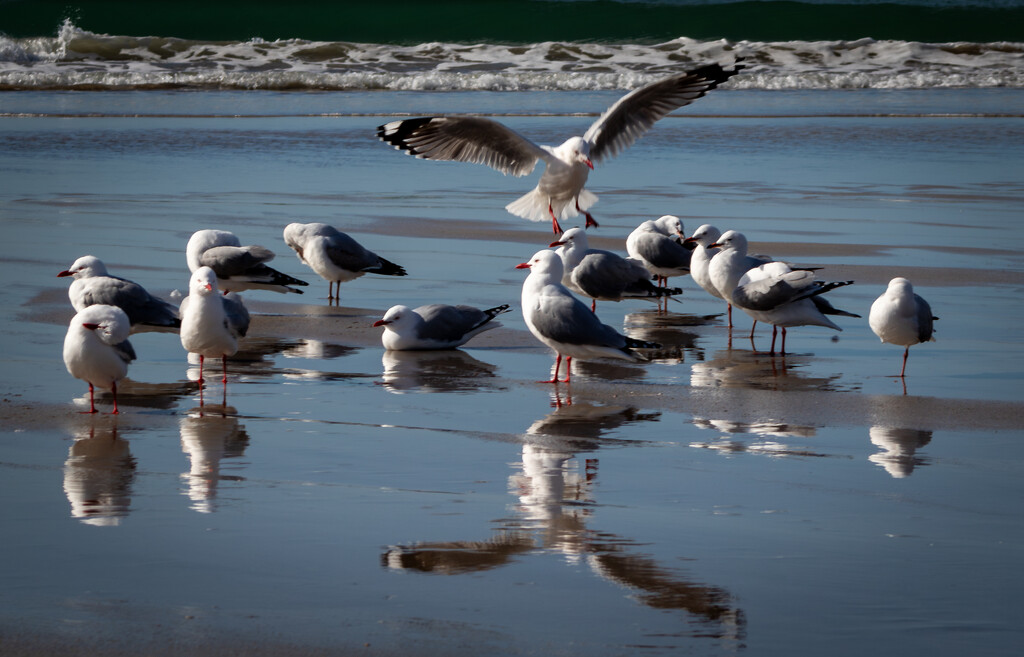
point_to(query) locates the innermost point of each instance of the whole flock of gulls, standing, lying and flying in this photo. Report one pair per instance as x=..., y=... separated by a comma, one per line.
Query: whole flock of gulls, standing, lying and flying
x=212, y=319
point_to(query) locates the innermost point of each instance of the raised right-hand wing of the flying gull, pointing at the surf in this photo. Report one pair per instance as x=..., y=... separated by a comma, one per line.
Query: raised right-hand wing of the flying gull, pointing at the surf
x=634, y=114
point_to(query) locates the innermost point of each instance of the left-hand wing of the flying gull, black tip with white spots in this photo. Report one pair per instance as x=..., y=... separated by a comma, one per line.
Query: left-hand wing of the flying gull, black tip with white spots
x=472, y=140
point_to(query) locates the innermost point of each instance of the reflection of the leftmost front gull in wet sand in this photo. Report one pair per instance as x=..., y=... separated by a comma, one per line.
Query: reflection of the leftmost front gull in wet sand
x=99, y=474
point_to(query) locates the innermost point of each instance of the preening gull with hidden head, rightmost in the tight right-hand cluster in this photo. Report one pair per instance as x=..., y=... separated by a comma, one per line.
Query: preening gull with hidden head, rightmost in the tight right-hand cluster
x=784, y=297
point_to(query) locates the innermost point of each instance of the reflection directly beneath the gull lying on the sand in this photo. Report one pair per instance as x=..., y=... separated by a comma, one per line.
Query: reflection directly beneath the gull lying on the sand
x=444, y=371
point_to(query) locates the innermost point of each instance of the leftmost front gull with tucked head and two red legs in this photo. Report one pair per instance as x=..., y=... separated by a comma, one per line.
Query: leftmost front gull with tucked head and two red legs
x=97, y=349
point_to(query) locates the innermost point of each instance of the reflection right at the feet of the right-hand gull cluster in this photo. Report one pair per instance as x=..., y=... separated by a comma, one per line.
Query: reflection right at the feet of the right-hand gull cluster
x=741, y=369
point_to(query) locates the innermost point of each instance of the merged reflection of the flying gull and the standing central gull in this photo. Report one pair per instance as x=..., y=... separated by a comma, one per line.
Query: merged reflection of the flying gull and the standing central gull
x=556, y=504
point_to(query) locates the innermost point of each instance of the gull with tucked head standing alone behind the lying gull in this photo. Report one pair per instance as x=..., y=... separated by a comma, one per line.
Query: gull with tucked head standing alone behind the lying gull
x=335, y=256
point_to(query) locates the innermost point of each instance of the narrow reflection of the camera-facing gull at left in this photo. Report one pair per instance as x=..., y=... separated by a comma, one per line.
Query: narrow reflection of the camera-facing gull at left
x=210, y=434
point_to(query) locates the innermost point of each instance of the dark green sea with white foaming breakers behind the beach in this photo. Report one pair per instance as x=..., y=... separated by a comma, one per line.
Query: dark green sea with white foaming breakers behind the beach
x=507, y=47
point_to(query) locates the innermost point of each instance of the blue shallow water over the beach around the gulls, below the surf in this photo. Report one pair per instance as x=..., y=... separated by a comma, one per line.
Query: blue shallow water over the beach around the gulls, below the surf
x=713, y=501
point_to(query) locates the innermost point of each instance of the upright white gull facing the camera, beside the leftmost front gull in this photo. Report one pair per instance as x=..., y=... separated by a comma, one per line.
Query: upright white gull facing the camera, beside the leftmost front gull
x=211, y=324
